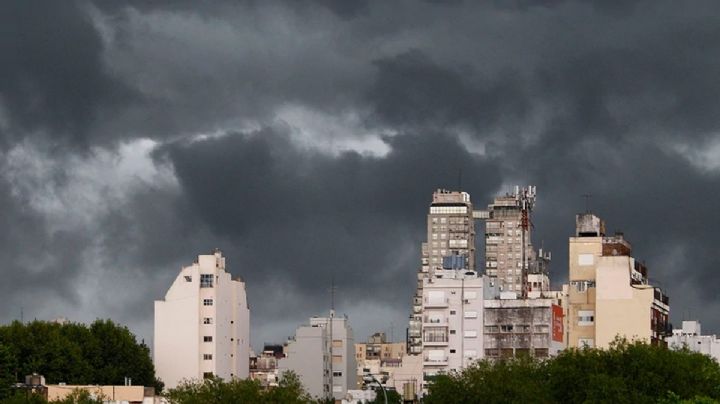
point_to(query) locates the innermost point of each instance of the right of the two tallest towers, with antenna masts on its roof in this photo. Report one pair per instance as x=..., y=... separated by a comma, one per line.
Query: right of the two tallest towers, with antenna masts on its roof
x=509, y=254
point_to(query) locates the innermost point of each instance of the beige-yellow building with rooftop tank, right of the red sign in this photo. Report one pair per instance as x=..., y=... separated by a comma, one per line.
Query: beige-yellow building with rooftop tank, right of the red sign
x=609, y=294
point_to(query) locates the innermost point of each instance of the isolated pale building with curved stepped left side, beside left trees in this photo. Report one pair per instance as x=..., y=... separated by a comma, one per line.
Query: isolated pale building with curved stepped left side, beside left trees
x=202, y=325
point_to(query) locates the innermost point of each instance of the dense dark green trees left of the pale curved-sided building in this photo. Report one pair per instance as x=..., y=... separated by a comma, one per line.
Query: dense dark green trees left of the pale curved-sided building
x=101, y=353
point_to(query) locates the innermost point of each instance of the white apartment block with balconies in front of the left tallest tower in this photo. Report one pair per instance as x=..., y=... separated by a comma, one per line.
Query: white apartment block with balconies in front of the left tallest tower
x=452, y=321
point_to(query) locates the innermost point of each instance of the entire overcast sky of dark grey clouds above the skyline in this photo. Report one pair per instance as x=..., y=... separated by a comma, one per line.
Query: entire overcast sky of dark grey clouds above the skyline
x=305, y=138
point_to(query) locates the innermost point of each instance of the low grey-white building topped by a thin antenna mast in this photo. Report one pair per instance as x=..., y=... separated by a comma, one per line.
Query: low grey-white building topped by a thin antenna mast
x=324, y=371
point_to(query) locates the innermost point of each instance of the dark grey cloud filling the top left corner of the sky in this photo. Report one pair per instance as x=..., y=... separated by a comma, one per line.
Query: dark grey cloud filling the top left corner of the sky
x=53, y=77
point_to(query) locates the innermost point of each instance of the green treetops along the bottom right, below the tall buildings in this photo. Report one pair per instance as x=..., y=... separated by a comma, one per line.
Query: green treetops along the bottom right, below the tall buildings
x=625, y=373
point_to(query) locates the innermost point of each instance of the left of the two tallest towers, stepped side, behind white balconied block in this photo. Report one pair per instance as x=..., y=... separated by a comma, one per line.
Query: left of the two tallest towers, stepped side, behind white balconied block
x=450, y=242
